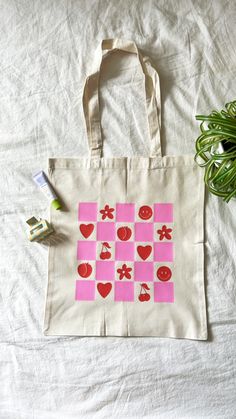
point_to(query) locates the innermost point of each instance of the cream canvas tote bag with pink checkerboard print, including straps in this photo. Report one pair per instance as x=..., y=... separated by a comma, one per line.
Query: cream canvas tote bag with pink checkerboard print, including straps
x=131, y=262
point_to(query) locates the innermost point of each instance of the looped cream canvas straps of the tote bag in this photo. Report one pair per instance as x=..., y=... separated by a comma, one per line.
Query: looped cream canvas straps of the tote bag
x=91, y=96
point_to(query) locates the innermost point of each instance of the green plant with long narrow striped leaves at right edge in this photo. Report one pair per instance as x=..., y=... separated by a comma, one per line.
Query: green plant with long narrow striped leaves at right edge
x=216, y=151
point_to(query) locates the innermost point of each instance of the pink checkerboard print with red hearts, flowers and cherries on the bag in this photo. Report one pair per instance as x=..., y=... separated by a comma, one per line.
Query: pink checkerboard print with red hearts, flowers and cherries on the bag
x=125, y=253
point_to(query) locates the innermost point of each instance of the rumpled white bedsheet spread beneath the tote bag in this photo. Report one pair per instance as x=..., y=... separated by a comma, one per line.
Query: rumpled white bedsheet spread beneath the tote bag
x=46, y=49
